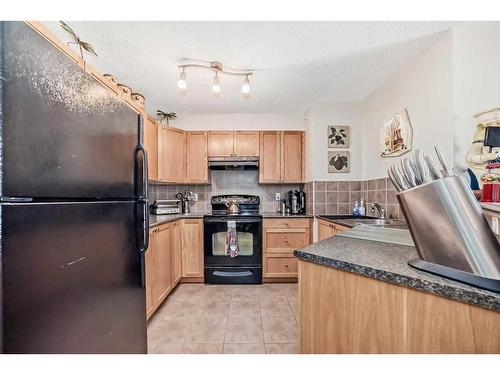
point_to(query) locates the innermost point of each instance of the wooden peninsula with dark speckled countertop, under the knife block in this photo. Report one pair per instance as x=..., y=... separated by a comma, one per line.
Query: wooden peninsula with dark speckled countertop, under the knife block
x=361, y=296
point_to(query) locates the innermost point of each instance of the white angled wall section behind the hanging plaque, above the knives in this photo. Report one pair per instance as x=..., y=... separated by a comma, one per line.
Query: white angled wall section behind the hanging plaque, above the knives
x=424, y=88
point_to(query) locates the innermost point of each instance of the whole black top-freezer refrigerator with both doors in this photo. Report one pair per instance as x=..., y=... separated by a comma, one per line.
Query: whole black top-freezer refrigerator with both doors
x=74, y=219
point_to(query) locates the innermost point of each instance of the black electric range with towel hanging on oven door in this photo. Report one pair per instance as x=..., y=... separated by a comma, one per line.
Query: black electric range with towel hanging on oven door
x=246, y=267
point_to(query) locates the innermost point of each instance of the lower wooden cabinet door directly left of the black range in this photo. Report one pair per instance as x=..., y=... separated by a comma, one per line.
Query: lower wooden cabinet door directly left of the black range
x=192, y=249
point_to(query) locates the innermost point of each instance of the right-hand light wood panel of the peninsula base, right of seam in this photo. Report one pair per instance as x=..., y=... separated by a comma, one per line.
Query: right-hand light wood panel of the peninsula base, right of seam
x=439, y=325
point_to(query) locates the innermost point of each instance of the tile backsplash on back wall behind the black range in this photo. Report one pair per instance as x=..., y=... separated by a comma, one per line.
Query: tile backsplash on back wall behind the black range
x=226, y=182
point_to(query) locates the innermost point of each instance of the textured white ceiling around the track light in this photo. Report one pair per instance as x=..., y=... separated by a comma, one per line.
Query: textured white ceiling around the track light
x=296, y=63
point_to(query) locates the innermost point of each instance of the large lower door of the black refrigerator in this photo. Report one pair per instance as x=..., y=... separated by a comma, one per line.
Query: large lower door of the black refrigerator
x=72, y=278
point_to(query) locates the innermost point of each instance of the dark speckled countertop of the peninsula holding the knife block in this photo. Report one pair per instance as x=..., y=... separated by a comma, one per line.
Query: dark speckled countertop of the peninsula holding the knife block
x=389, y=262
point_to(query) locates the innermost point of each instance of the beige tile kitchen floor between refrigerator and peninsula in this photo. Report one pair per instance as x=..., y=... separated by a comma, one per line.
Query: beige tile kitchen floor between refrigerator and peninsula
x=226, y=319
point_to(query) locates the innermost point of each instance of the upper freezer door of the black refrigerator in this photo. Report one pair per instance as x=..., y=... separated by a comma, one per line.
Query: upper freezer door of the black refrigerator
x=64, y=135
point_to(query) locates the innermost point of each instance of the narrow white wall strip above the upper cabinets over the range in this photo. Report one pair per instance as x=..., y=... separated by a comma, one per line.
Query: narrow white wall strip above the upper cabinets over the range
x=240, y=121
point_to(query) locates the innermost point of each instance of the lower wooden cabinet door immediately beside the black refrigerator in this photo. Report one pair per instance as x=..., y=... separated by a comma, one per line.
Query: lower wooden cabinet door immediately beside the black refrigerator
x=163, y=263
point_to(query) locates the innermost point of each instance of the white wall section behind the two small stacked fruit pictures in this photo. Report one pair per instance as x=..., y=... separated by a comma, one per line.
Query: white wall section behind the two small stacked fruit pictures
x=319, y=116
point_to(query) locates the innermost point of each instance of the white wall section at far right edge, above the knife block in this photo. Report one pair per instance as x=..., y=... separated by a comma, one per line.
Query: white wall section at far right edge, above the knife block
x=476, y=79
